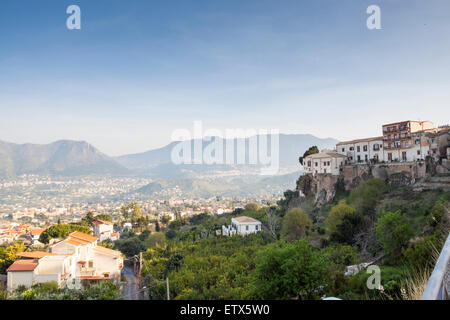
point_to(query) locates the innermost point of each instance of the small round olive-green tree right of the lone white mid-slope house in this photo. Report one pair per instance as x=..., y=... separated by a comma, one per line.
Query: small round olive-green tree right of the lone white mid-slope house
x=296, y=224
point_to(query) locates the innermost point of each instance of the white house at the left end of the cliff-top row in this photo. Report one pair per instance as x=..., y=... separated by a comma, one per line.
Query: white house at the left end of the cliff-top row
x=325, y=162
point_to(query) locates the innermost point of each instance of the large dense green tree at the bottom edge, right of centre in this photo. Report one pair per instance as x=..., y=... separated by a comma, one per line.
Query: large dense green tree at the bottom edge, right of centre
x=292, y=270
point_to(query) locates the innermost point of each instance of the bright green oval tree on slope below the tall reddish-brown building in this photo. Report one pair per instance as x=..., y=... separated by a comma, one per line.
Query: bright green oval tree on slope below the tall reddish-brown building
x=394, y=232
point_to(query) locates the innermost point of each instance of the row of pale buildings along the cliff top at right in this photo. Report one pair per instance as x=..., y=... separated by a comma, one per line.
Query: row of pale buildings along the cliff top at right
x=405, y=141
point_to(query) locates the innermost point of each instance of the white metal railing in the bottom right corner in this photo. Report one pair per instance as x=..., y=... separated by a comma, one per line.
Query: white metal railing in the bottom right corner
x=438, y=285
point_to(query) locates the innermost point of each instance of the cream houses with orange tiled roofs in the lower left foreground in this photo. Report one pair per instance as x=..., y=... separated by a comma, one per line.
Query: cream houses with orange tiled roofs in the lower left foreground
x=67, y=263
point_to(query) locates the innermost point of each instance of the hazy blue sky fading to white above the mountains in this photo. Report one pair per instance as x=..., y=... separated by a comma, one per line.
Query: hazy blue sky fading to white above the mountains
x=137, y=70
